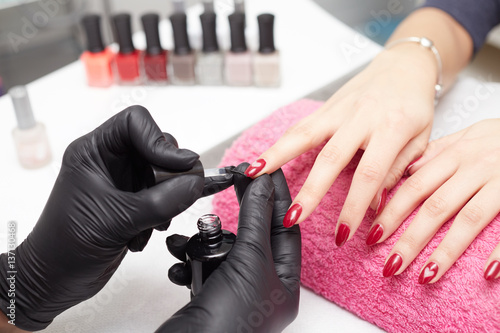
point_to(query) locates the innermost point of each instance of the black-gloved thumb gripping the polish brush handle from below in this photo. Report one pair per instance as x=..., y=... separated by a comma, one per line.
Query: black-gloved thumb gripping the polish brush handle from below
x=166, y=200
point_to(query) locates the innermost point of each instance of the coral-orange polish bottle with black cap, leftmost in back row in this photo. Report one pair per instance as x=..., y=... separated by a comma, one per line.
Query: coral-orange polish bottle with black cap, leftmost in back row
x=97, y=59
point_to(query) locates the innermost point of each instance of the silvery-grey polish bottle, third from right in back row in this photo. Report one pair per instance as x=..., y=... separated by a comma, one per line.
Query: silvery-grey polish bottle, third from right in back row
x=210, y=60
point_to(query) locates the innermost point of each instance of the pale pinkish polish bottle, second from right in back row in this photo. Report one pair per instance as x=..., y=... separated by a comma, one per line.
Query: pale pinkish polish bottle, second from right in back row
x=238, y=67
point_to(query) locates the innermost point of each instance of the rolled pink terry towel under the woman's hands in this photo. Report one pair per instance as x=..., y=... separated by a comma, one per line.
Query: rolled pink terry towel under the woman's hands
x=351, y=276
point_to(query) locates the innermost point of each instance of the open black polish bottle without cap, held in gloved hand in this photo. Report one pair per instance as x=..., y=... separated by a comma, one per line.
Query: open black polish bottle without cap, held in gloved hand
x=207, y=249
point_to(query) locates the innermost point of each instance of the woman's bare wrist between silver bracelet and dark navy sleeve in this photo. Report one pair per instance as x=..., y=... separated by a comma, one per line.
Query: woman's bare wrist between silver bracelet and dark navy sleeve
x=450, y=38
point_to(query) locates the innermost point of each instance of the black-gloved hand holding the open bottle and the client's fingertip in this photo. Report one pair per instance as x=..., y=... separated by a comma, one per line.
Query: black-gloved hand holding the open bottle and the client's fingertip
x=257, y=288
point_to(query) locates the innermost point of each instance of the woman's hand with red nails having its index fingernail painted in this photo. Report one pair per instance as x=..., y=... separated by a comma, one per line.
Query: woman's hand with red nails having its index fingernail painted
x=387, y=110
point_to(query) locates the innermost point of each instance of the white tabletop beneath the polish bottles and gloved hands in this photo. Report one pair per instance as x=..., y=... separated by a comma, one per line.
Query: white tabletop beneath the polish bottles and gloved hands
x=140, y=297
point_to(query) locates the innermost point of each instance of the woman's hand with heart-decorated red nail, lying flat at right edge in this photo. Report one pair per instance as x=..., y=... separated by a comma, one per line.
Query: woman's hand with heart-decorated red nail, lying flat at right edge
x=459, y=173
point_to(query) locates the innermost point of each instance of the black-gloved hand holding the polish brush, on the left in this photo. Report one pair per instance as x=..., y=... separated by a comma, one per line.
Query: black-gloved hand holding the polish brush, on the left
x=98, y=209
